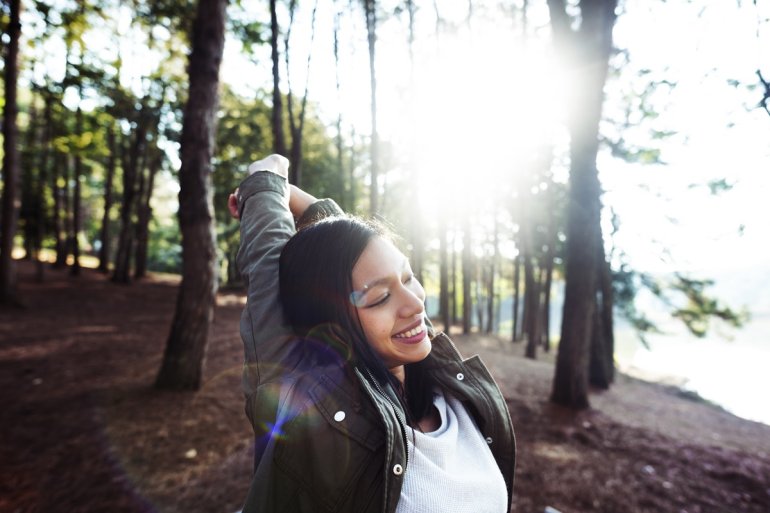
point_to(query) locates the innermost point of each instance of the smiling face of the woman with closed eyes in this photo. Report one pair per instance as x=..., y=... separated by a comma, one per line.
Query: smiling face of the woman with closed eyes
x=389, y=301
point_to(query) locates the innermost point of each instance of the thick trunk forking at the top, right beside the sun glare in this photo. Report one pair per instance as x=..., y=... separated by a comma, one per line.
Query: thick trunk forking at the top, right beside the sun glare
x=590, y=45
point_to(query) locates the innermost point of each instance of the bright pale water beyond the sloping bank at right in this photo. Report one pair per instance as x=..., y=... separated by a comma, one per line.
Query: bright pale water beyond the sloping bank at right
x=729, y=366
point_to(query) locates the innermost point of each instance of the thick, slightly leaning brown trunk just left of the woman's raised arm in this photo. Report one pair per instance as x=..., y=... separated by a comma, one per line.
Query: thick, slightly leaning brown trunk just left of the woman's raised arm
x=183, y=360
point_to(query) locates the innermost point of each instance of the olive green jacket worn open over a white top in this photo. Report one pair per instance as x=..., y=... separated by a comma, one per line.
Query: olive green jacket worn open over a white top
x=326, y=438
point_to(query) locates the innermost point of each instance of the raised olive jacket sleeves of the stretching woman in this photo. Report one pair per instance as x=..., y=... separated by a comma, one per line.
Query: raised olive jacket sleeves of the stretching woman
x=266, y=225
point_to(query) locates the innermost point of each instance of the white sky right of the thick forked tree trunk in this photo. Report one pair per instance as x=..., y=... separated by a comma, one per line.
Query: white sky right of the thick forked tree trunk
x=718, y=138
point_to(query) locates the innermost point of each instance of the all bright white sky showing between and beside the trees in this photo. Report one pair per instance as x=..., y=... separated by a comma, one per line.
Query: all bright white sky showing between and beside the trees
x=473, y=110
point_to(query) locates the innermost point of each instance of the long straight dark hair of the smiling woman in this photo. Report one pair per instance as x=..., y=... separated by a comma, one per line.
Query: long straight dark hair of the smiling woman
x=315, y=274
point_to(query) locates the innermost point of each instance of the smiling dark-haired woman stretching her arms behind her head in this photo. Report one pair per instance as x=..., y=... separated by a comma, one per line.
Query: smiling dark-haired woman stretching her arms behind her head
x=356, y=404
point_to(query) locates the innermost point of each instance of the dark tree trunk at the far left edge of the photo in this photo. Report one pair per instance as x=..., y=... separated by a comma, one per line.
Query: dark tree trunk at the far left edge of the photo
x=10, y=203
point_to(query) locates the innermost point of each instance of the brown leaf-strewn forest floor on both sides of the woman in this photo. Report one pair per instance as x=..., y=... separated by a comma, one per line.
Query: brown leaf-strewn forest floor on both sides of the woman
x=82, y=430
